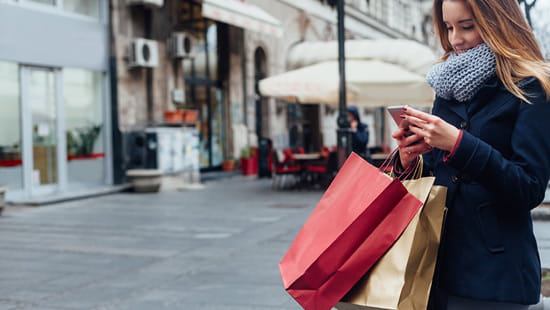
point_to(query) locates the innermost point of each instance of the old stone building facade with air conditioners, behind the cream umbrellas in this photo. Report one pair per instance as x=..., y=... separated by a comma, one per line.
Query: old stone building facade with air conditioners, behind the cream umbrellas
x=231, y=46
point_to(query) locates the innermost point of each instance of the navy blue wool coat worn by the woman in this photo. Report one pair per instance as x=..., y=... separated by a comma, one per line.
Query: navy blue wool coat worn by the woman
x=498, y=174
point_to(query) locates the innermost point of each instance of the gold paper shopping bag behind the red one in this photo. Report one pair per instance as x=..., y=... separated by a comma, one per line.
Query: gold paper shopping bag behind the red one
x=402, y=278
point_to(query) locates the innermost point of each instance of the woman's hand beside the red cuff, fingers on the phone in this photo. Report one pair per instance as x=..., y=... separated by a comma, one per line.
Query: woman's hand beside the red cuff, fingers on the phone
x=434, y=131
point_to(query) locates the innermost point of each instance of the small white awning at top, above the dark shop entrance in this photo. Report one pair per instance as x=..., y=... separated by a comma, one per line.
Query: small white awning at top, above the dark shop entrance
x=242, y=14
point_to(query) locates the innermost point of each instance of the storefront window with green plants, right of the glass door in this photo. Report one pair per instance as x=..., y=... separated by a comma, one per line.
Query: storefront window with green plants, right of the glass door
x=84, y=125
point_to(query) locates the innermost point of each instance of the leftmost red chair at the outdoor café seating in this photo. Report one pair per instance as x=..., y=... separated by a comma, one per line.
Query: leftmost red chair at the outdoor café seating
x=285, y=168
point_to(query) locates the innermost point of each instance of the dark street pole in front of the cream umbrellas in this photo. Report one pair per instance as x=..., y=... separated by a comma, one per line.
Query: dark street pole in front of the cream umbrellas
x=343, y=132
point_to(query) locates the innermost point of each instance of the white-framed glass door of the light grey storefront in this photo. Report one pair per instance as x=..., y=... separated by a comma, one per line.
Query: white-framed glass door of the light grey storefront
x=41, y=130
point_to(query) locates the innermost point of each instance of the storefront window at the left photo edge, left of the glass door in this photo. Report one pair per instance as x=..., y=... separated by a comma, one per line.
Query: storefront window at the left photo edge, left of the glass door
x=11, y=164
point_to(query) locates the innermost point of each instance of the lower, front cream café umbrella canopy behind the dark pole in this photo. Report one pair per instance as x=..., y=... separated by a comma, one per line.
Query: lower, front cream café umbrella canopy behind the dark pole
x=368, y=83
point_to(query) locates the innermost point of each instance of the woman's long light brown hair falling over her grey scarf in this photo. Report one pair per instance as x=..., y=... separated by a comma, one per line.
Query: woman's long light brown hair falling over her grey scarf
x=504, y=28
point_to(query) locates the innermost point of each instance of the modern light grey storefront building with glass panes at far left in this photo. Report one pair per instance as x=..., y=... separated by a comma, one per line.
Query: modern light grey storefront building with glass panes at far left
x=54, y=82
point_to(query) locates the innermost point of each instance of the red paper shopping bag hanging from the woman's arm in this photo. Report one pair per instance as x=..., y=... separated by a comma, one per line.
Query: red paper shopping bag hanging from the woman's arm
x=359, y=217
